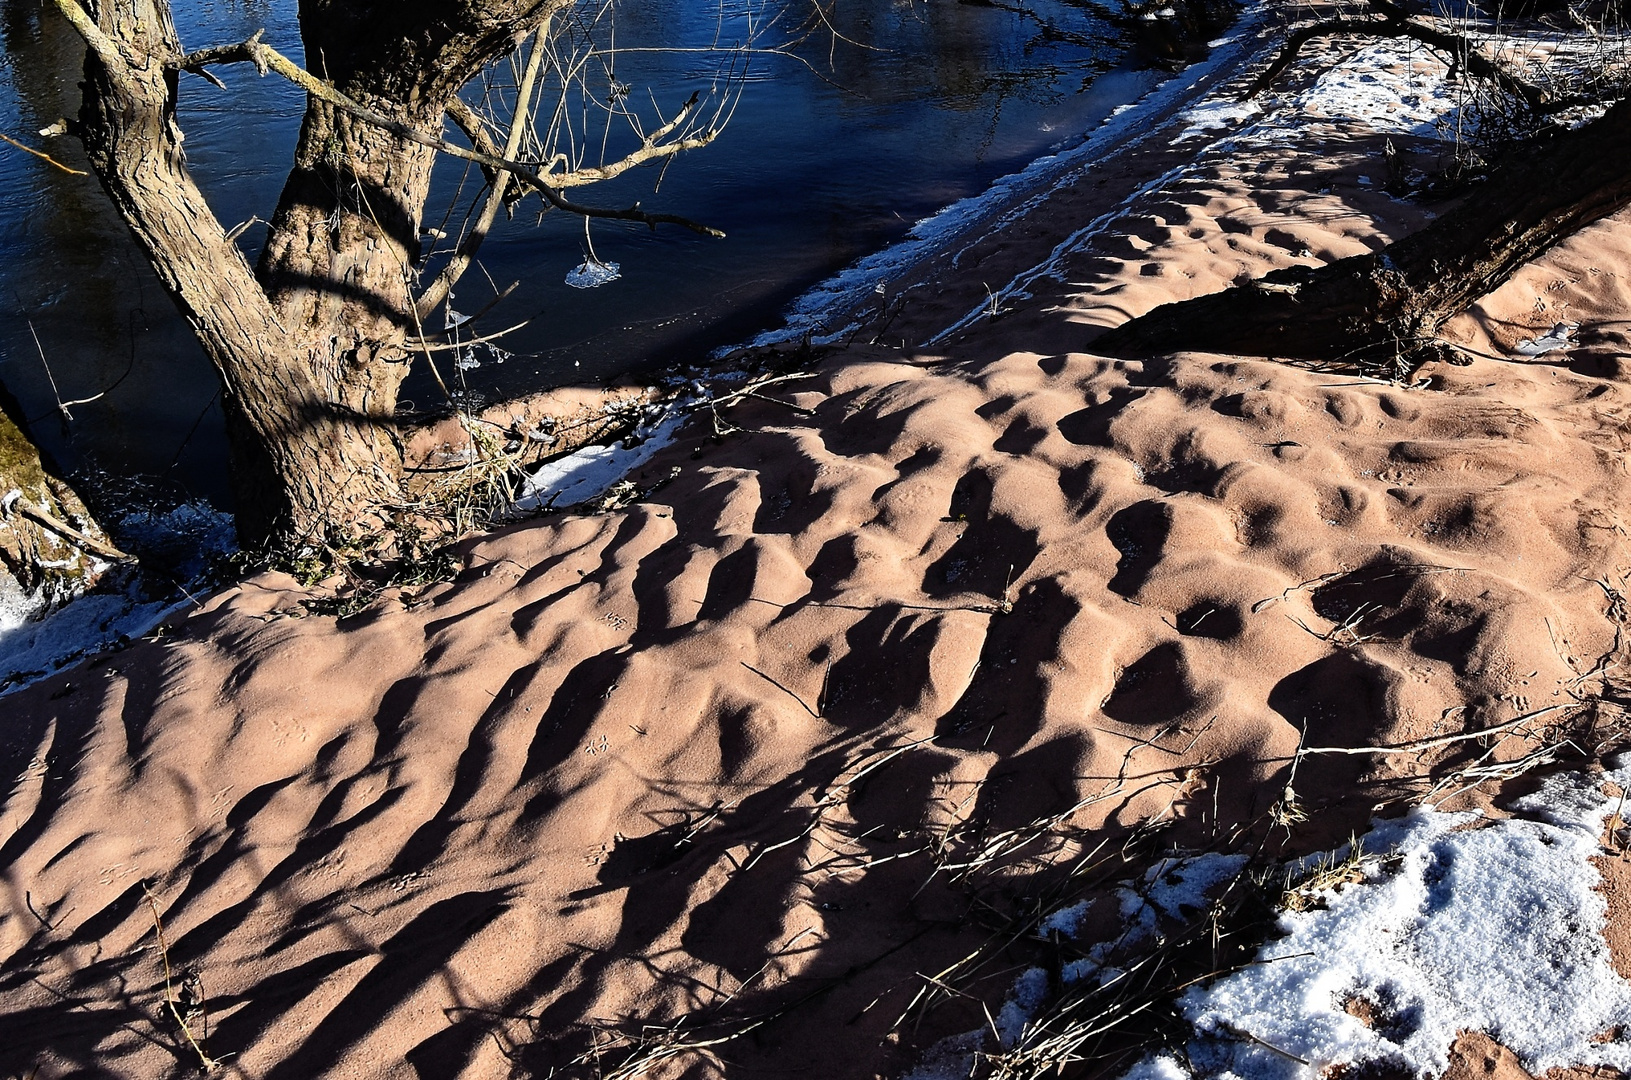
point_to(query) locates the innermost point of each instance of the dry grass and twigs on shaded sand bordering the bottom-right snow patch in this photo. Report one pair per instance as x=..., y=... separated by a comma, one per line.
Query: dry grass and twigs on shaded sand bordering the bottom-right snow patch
x=1126, y=1007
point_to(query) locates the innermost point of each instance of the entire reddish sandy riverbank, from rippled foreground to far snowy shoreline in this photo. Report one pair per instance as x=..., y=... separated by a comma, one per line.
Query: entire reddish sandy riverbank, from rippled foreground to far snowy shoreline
x=878, y=671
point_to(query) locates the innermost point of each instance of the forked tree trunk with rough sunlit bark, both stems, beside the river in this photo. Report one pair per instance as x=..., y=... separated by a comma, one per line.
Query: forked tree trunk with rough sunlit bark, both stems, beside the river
x=311, y=352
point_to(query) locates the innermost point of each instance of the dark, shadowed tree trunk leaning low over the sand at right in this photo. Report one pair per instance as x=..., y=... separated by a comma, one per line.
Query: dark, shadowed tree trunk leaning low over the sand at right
x=1386, y=309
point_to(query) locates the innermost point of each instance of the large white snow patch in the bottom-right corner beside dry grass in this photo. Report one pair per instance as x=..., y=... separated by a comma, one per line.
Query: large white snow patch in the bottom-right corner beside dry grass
x=1462, y=924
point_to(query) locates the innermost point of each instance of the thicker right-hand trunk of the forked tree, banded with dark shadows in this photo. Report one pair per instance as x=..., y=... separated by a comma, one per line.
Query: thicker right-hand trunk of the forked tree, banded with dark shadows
x=342, y=249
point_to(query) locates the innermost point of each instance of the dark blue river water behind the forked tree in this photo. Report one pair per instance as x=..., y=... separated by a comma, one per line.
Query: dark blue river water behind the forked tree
x=836, y=148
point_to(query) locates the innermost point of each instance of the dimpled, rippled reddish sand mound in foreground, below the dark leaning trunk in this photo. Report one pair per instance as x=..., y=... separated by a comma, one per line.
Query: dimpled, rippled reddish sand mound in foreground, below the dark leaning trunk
x=578, y=782
